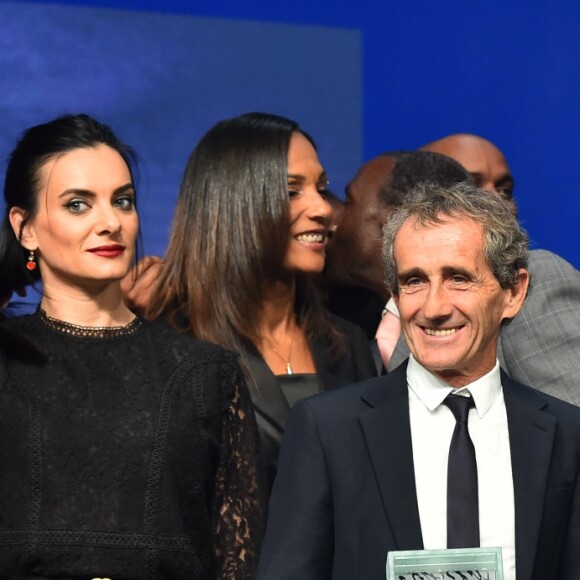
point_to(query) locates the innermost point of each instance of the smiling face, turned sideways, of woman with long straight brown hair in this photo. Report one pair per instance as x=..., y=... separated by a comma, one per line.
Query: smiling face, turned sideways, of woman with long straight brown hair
x=310, y=213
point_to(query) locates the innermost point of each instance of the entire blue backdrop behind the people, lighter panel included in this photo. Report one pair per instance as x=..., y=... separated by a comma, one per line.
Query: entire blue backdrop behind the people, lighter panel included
x=362, y=77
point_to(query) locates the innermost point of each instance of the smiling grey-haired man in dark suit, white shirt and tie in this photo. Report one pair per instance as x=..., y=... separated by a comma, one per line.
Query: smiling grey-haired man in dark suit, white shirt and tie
x=370, y=468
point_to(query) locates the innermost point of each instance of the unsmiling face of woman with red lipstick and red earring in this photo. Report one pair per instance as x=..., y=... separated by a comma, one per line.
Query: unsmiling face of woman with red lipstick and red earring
x=86, y=225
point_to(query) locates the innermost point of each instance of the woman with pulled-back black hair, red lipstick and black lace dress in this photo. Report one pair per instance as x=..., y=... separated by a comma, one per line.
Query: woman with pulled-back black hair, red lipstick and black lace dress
x=126, y=450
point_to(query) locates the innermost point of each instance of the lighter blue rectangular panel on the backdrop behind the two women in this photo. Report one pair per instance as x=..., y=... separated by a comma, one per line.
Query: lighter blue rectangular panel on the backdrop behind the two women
x=162, y=80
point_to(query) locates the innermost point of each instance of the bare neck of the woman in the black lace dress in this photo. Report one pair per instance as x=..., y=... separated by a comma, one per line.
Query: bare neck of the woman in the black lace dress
x=100, y=306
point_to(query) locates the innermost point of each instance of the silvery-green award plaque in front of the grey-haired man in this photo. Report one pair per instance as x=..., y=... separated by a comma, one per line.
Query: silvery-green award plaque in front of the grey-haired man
x=461, y=564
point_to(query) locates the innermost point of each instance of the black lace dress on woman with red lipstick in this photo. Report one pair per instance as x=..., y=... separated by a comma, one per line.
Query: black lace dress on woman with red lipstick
x=125, y=453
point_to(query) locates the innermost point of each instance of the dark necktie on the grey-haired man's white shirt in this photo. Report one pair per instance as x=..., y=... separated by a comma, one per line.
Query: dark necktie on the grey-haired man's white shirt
x=462, y=496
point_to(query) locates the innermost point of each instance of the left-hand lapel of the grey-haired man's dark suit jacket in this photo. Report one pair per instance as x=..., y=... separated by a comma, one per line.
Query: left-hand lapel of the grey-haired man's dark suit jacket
x=387, y=431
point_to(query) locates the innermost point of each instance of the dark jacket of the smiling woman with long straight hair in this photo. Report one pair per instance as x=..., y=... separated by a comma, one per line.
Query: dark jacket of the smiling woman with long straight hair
x=270, y=404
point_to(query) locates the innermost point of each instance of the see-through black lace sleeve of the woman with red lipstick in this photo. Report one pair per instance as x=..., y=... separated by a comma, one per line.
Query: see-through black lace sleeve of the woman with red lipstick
x=239, y=506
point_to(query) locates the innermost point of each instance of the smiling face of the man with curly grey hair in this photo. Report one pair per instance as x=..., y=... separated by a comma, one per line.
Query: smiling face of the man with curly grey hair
x=451, y=304
